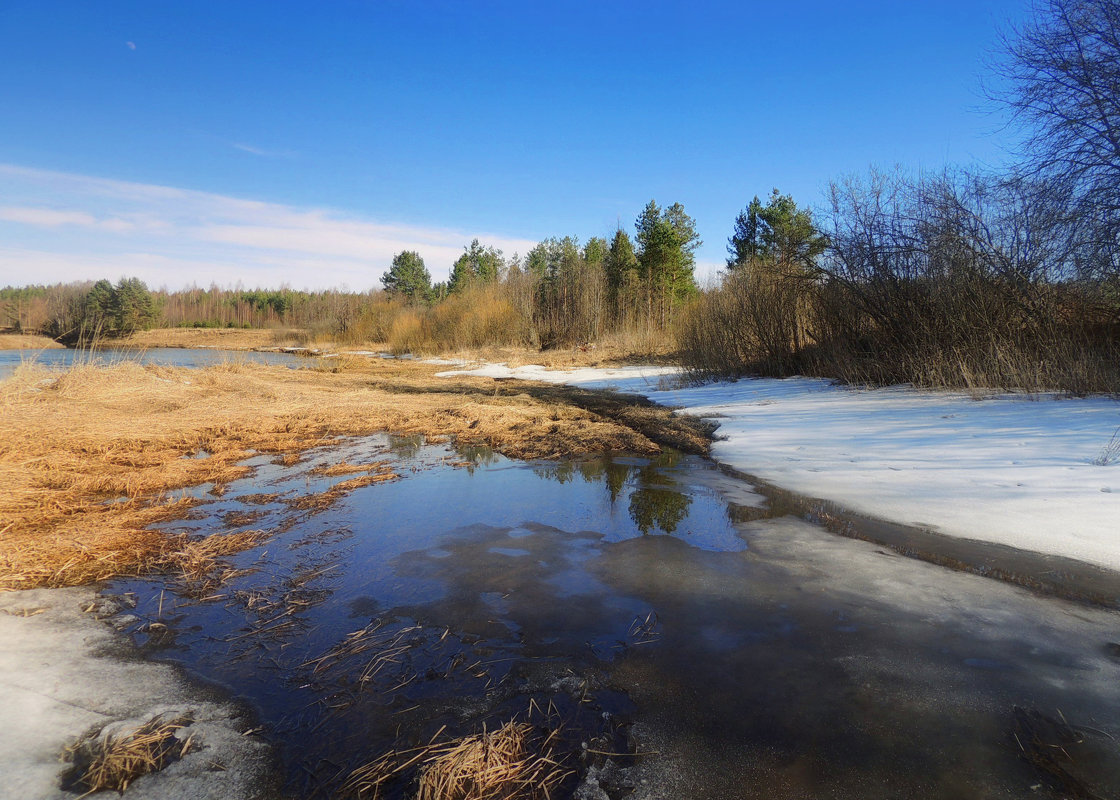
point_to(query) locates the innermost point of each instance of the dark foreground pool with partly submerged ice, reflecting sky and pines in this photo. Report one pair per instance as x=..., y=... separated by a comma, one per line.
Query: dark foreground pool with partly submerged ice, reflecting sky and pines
x=651, y=608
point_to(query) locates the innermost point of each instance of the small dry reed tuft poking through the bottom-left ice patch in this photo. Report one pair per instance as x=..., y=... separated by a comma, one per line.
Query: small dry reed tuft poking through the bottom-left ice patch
x=116, y=760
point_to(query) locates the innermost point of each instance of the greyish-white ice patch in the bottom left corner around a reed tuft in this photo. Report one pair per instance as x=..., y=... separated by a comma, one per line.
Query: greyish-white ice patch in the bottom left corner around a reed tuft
x=66, y=674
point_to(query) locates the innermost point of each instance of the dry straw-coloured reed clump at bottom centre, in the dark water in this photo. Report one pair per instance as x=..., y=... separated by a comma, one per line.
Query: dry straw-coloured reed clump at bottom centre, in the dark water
x=516, y=761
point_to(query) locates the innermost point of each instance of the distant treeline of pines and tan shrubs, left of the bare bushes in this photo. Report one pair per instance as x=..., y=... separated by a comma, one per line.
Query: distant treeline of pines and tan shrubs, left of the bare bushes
x=559, y=294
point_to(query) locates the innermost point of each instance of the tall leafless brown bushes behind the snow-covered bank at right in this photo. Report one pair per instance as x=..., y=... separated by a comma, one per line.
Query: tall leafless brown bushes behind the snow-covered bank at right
x=947, y=281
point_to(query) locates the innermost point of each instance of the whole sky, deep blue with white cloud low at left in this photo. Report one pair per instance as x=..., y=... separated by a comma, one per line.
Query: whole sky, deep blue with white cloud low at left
x=269, y=143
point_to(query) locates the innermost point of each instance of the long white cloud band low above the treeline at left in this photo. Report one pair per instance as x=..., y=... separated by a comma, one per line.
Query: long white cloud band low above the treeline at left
x=61, y=227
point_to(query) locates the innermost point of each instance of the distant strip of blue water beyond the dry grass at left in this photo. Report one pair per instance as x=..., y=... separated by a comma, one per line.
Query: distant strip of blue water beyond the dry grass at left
x=166, y=357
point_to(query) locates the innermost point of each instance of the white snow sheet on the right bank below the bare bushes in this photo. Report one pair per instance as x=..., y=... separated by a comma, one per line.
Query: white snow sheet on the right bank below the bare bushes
x=1004, y=469
